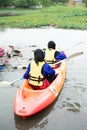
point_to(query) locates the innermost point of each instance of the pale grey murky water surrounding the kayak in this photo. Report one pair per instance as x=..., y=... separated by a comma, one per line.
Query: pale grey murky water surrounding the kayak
x=69, y=111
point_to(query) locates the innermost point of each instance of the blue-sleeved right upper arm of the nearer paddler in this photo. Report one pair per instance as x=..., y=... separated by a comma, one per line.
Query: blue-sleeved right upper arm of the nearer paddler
x=47, y=70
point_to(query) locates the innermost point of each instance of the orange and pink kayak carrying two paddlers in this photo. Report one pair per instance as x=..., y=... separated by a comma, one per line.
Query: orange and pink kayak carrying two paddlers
x=28, y=102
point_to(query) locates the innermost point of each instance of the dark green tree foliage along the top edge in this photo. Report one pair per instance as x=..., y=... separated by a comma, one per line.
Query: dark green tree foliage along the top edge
x=28, y=3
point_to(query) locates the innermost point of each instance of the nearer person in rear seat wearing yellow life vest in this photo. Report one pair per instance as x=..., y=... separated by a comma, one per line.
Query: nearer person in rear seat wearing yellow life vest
x=38, y=71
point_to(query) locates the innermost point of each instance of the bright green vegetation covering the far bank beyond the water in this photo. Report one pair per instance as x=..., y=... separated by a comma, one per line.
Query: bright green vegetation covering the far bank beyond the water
x=58, y=16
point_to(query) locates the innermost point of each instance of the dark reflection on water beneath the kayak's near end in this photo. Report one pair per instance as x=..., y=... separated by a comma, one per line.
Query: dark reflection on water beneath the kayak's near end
x=37, y=121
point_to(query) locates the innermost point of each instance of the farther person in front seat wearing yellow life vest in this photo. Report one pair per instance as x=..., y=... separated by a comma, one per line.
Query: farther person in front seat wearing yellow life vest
x=52, y=55
